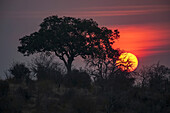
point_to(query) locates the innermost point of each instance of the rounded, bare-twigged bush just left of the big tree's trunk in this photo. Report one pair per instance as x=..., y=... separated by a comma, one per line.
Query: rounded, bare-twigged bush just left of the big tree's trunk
x=45, y=67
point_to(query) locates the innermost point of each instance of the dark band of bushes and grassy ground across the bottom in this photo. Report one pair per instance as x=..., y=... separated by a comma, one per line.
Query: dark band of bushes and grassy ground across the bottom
x=44, y=87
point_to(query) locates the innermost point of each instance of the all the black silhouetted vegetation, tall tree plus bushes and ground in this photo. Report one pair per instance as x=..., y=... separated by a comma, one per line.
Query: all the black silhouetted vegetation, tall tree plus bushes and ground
x=43, y=86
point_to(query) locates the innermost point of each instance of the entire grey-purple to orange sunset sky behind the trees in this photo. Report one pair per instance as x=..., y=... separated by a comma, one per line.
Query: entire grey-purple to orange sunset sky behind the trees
x=144, y=25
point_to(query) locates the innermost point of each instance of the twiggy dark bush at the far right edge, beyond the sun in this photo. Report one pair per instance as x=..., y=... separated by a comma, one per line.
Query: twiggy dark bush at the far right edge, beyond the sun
x=155, y=77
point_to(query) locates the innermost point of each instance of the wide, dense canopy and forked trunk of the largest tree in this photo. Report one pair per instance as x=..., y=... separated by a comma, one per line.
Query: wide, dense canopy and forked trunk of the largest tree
x=68, y=38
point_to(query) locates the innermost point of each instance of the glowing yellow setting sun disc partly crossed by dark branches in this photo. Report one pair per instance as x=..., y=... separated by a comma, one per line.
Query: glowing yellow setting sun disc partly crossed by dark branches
x=127, y=62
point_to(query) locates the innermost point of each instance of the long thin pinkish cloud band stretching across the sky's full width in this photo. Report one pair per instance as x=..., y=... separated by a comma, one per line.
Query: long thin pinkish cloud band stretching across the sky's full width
x=93, y=11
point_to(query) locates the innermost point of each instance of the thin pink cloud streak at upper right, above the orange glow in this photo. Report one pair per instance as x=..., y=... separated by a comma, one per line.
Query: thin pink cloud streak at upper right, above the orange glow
x=121, y=10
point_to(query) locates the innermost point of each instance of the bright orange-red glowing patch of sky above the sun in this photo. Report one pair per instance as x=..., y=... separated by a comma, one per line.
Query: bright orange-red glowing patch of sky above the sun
x=143, y=40
